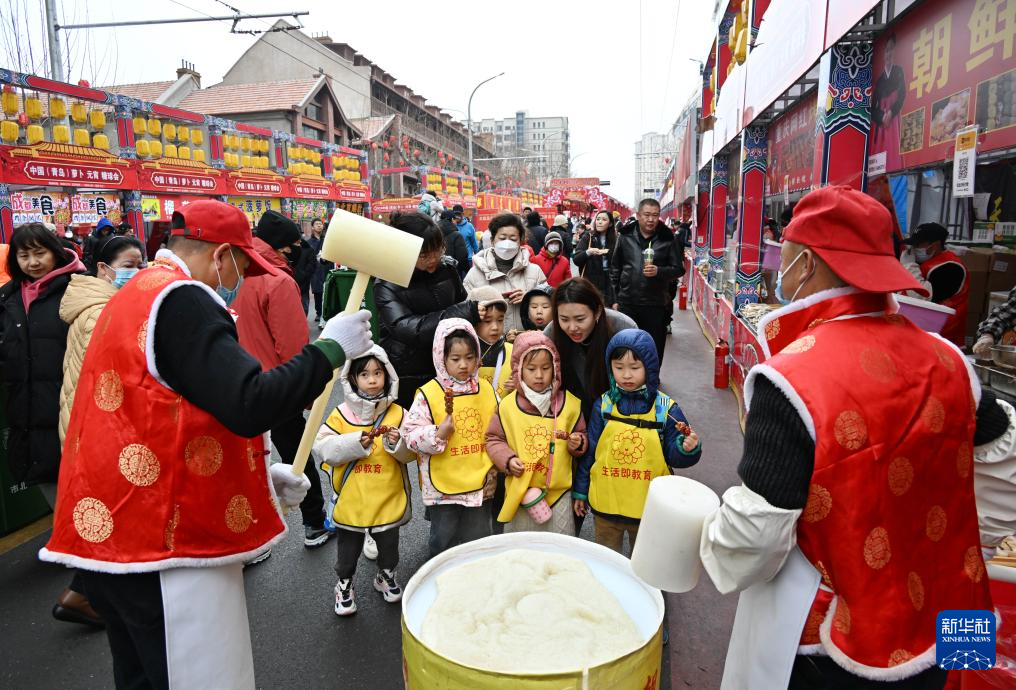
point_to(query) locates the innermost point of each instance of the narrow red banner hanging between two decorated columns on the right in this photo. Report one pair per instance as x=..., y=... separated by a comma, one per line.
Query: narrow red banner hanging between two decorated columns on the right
x=792, y=149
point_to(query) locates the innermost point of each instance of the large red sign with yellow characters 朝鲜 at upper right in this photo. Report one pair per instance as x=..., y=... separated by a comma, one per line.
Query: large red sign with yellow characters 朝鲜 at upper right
x=946, y=66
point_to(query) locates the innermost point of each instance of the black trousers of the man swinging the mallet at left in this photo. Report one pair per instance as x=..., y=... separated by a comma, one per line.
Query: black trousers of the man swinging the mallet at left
x=132, y=606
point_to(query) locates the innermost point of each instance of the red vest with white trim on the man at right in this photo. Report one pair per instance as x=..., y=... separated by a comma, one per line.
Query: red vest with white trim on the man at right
x=891, y=522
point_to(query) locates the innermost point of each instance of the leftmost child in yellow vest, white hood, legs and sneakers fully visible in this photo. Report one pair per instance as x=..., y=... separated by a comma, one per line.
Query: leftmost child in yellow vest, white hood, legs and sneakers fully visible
x=361, y=449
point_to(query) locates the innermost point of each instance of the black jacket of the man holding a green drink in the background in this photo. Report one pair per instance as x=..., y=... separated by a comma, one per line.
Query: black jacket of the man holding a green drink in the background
x=630, y=286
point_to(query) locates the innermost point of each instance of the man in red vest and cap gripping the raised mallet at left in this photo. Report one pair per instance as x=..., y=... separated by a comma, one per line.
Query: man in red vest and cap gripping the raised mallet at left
x=164, y=482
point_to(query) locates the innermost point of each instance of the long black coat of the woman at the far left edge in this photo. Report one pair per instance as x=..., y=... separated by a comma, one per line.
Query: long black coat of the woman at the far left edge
x=32, y=352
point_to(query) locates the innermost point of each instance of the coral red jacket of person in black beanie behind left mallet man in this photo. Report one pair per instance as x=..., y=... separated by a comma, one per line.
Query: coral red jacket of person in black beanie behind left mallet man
x=271, y=319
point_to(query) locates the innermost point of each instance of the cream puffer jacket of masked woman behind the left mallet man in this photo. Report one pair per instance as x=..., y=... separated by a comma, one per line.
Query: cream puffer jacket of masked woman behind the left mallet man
x=80, y=309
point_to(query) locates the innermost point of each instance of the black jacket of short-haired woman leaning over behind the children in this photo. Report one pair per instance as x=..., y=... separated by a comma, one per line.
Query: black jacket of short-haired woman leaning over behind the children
x=410, y=317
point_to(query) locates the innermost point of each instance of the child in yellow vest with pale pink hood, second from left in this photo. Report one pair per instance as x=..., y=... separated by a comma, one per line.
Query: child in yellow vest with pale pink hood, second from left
x=446, y=428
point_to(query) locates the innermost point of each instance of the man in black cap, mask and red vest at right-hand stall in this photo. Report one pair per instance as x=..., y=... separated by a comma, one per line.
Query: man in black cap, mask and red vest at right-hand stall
x=941, y=273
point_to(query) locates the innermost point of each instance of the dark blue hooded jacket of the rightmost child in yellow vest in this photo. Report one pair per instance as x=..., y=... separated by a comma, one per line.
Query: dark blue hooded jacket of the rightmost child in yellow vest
x=634, y=403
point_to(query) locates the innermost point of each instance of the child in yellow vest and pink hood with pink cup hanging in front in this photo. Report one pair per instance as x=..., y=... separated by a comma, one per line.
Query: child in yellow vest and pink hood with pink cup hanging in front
x=538, y=429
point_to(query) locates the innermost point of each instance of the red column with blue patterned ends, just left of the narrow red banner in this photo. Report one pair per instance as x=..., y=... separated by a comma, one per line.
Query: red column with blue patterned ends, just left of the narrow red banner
x=754, y=157
